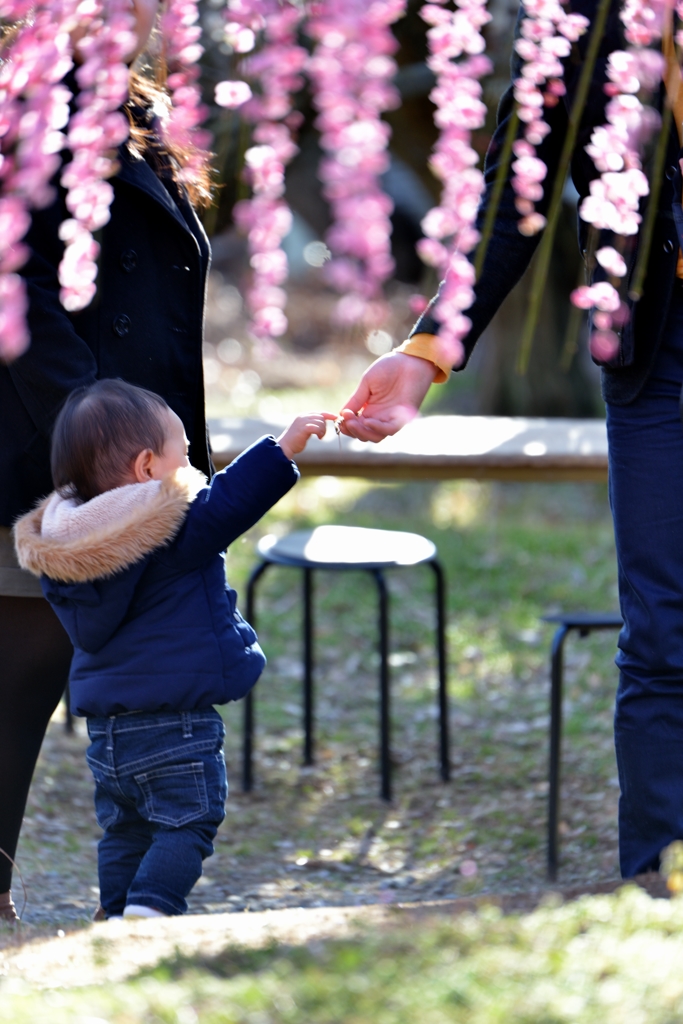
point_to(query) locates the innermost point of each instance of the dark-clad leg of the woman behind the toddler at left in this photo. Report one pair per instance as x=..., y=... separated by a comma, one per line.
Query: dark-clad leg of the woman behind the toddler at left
x=35, y=656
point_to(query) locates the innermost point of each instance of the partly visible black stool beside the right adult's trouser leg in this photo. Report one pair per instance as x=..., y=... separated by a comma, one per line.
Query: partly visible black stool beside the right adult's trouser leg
x=584, y=623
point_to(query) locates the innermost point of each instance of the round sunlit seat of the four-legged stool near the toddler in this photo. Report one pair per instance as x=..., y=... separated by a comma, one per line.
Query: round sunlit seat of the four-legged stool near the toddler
x=347, y=548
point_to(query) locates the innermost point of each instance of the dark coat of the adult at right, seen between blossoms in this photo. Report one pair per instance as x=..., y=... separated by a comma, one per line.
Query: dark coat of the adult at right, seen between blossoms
x=509, y=252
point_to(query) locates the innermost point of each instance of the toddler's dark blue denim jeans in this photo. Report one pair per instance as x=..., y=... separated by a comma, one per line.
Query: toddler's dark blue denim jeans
x=160, y=795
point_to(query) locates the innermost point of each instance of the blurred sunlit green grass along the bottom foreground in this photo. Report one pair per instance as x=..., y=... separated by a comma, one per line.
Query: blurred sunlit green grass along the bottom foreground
x=606, y=960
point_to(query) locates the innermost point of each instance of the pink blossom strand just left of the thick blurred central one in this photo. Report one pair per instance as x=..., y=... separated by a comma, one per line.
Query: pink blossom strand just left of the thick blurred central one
x=275, y=70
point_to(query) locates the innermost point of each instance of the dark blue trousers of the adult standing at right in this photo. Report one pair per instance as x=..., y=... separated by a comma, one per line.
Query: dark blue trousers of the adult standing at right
x=647, y=497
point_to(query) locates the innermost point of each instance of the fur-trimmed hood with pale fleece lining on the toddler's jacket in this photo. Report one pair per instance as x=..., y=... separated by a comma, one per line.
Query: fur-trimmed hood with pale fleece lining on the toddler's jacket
x=78, y=542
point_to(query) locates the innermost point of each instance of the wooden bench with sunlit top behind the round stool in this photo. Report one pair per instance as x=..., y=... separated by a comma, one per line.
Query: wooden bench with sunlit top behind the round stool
x=443, y=448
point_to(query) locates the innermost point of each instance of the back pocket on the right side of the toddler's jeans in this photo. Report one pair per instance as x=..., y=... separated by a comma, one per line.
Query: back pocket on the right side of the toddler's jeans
x=175, y=795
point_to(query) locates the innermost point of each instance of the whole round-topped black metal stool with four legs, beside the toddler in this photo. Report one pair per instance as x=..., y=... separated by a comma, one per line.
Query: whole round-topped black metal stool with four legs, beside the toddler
x=344, y=548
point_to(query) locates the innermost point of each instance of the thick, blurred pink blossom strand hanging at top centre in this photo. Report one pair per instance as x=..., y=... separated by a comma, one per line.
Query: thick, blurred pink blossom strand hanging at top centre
x=352, y=71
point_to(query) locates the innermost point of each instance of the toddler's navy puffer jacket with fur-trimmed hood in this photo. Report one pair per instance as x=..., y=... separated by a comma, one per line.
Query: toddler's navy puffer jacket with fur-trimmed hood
x=138, y=579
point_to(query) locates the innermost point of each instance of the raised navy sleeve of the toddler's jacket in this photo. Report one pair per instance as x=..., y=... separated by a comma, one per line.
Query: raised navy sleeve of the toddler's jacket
x=237, y=498
